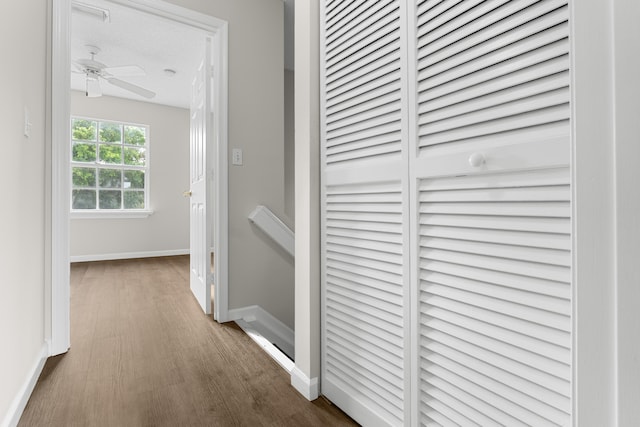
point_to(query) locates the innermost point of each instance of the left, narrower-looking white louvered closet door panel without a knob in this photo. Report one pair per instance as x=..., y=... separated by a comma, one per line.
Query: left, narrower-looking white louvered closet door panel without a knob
x=364, y=210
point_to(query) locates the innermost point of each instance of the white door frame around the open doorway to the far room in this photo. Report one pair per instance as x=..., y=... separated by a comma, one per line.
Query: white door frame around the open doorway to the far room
x=57, y=304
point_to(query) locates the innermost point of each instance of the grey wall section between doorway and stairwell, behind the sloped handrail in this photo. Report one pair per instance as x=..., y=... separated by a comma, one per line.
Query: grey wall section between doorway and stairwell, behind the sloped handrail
x=259, y=271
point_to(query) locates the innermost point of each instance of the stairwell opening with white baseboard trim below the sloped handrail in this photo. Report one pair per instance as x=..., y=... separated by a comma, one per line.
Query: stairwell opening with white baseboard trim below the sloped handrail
x=274, y=336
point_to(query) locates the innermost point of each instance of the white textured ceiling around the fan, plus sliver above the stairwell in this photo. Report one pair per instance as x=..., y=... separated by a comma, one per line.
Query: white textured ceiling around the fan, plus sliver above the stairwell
x=130, y=37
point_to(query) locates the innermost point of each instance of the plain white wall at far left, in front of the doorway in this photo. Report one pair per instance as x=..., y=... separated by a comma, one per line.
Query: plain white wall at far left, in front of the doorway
x=23, y=35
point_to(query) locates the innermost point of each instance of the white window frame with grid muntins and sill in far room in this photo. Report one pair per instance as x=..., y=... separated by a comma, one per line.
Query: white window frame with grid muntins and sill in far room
x=98, y=213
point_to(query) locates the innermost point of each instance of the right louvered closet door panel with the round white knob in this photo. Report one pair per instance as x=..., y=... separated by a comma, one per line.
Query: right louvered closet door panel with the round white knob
x=492, y=223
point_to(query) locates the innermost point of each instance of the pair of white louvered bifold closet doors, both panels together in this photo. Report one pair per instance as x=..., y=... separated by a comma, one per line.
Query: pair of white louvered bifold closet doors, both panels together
x=446, y=288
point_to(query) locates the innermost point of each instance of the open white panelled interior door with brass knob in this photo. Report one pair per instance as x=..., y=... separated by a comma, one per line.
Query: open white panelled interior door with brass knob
x=201, y=149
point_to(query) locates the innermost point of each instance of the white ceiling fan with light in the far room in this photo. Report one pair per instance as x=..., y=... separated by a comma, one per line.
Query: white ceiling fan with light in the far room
x=94, y=71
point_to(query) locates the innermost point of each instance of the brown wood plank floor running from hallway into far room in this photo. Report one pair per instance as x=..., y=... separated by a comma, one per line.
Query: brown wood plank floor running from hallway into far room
x=143, y=354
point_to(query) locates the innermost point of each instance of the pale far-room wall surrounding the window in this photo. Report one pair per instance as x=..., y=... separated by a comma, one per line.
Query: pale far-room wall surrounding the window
x=168, y=228
